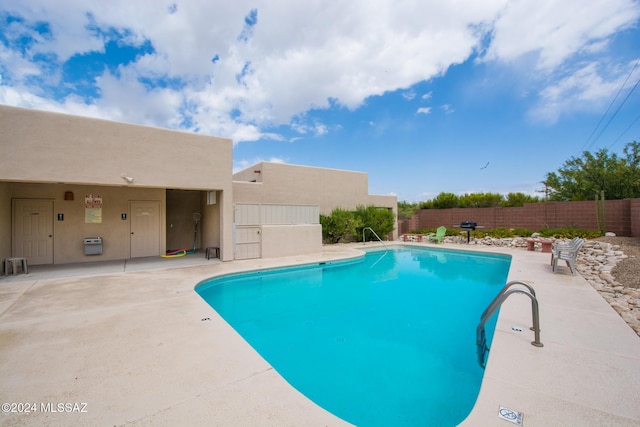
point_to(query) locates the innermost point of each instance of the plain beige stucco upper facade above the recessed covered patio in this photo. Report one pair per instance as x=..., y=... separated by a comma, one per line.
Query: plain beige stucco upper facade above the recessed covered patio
x=50, y=147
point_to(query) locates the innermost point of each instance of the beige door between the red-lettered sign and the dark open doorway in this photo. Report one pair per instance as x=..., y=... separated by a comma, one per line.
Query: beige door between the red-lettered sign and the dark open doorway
x=145, y=228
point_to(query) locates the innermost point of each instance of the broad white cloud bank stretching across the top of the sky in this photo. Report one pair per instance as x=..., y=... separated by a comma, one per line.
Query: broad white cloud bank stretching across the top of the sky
x=344, y=52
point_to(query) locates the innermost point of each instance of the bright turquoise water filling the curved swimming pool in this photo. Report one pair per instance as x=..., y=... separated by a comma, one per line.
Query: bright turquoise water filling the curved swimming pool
x=385, y=340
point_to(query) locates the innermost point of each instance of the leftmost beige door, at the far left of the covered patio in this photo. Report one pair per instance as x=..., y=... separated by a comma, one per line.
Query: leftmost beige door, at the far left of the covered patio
x=33, y=230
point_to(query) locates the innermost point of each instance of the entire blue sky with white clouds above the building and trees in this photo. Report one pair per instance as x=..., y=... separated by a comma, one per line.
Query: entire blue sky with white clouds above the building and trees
x=419, y=94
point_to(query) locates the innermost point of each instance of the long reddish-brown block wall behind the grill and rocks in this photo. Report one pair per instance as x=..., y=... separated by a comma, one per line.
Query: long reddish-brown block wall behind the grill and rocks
x=622, y=217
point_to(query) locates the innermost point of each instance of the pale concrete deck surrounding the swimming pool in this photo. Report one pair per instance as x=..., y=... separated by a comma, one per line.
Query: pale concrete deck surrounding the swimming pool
x=135, y=343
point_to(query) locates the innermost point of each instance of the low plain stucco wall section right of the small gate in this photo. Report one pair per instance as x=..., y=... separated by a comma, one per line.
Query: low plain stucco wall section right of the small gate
x=287, y=240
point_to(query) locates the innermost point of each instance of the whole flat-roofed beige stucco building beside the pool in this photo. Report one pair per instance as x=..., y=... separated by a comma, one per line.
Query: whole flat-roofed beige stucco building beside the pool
x=144, y=190
